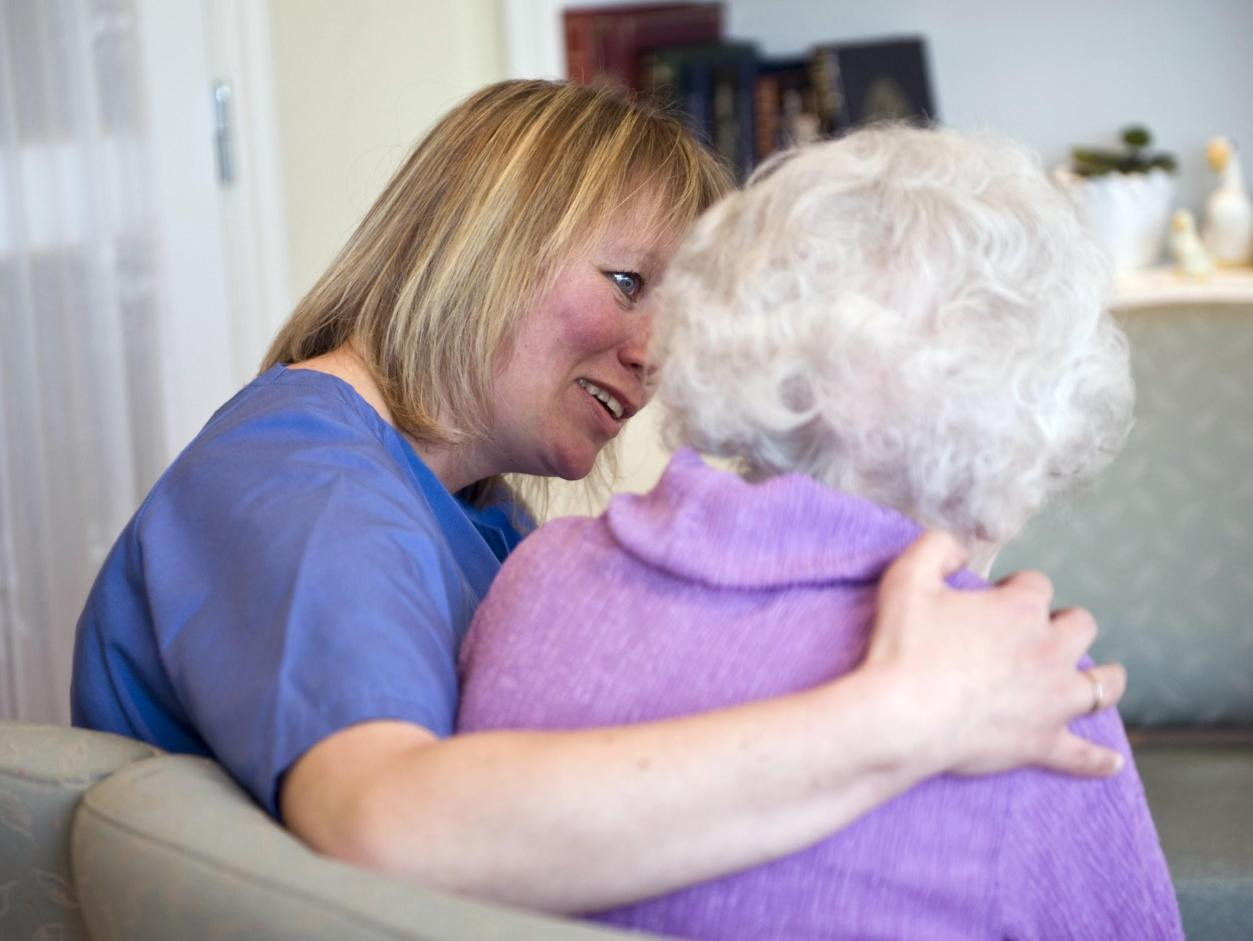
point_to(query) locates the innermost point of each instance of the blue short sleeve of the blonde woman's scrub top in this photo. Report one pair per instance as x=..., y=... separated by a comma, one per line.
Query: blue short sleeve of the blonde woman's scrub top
x=300, y=585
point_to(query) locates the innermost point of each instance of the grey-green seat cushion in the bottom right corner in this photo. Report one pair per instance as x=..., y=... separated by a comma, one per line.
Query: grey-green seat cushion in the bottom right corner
x=1202, y=801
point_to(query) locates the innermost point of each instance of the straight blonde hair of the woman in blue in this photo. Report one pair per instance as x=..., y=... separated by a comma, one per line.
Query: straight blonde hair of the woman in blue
x=473, y=229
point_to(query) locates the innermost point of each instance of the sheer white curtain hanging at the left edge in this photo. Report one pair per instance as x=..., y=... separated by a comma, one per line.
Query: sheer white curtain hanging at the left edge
x=80, y=407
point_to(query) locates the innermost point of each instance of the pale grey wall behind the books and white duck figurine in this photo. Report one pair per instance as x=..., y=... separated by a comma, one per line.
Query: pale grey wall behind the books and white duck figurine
x=1061, y=73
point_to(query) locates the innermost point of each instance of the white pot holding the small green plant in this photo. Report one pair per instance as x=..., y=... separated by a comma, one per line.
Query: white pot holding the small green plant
x=1128, y=214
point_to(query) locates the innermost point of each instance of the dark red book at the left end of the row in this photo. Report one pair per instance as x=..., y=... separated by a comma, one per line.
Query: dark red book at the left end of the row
x=606, y=44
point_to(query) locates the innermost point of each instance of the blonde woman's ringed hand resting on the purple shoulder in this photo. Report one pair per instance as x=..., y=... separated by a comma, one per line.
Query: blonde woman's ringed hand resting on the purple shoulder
x=990, y=677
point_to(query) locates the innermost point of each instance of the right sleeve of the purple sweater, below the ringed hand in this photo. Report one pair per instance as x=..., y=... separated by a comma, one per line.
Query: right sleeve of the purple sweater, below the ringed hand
x=1082, y=859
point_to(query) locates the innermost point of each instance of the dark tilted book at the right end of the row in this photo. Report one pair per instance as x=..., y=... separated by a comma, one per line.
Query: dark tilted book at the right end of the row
x=860, y=83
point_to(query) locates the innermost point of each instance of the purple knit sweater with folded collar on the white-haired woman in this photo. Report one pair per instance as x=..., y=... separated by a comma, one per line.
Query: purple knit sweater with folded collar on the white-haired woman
x=711, y=592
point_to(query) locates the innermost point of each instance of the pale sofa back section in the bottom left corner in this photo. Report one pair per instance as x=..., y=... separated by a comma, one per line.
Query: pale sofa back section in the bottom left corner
x=44, y=771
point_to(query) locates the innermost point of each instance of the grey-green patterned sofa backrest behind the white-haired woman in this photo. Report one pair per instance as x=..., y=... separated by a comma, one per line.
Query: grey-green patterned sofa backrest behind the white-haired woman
x=1160, y=549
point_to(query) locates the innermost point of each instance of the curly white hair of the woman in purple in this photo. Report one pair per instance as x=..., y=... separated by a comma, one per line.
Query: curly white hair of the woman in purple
x=913, y=316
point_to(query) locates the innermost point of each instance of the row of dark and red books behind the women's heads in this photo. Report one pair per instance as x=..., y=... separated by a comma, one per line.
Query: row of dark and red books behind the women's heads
x=741, y=106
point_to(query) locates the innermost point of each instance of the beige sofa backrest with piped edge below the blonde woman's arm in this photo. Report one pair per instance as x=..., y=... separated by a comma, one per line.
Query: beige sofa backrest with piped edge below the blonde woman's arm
x=172, y=848
